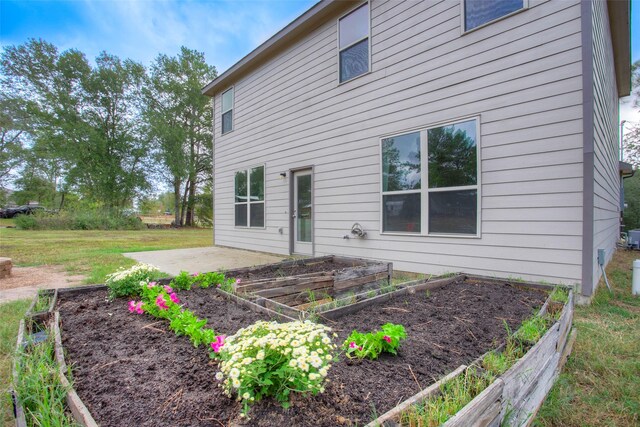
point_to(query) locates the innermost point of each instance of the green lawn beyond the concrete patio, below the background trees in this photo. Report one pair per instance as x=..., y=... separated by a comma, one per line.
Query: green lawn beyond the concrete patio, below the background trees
x=93, y=253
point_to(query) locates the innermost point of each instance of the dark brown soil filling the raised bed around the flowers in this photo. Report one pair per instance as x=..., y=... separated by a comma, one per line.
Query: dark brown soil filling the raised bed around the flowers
x=128, y=375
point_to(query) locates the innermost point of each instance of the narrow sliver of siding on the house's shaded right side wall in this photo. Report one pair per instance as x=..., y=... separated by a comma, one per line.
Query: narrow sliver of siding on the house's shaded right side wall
x=606, y=188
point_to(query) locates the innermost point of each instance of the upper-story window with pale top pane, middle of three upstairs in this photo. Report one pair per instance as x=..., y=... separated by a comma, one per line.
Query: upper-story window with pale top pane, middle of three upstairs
x=353, y=43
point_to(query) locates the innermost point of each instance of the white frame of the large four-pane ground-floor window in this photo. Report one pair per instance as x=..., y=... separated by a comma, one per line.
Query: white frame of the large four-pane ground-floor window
x=424, y=182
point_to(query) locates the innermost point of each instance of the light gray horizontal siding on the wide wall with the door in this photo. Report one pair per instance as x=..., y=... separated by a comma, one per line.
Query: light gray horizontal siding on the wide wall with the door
x=521, y=76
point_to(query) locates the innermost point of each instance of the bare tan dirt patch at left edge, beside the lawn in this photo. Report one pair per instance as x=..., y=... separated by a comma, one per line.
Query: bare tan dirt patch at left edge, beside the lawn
x=24, y=282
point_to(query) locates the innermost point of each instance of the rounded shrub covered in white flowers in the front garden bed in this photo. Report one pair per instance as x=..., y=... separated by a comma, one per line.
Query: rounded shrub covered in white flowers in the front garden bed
x=274, y=359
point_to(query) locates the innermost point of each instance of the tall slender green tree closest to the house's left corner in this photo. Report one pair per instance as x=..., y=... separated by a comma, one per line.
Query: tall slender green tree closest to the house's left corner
x=179, y=122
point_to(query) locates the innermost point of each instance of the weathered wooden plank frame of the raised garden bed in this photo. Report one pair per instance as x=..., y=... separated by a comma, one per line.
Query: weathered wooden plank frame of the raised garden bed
x=514, y=397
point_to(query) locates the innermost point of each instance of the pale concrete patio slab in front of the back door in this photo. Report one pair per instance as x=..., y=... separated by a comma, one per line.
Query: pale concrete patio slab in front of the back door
x=200, y=260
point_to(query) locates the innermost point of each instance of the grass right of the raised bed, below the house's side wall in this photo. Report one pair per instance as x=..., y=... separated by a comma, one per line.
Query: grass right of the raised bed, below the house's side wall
x=600, y=383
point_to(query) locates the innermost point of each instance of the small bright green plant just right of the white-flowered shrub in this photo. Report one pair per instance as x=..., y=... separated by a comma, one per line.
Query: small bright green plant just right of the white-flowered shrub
x=370, y=345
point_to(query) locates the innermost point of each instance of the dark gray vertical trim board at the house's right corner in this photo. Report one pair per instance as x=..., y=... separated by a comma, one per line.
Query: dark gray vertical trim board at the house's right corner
x=587, y=149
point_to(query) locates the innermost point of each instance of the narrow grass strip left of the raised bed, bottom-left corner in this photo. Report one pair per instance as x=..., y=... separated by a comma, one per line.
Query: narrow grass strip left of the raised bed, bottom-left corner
x=10, y=315
